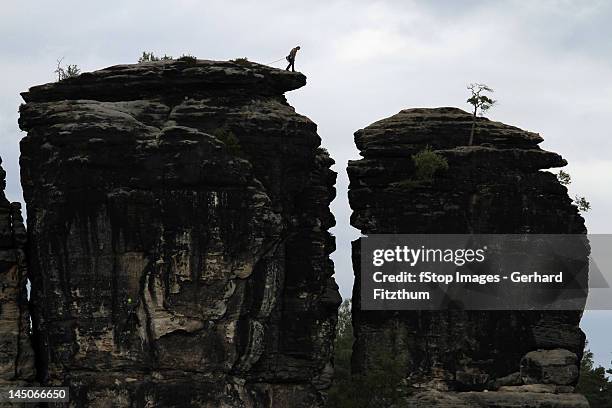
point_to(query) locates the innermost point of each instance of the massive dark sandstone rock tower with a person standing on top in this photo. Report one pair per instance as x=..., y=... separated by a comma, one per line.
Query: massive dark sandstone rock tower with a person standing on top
x=178, y=215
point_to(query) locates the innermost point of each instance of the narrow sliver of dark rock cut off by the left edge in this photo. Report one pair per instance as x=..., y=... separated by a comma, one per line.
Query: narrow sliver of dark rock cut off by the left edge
x=16, y=356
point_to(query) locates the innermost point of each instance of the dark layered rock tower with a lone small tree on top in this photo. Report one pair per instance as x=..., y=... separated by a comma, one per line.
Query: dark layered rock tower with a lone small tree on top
x=493, y=186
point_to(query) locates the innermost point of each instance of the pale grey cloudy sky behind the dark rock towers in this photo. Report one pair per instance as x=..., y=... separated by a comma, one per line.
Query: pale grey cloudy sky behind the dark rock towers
x=550, y=63
